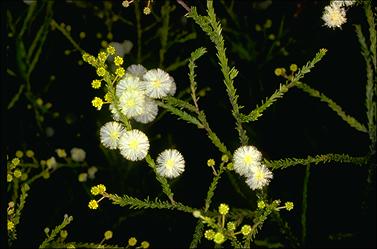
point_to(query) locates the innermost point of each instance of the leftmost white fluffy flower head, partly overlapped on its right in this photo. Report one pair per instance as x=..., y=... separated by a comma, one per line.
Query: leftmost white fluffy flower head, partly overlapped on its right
x=110, y=134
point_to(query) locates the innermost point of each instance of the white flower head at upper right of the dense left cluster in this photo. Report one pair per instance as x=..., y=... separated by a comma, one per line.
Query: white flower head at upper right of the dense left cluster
x=158, y=83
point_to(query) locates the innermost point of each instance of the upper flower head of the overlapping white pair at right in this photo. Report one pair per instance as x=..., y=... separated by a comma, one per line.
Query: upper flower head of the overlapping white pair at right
x=245, y=159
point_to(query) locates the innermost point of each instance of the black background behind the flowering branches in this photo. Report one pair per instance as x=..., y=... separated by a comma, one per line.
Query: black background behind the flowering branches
x=341, y=209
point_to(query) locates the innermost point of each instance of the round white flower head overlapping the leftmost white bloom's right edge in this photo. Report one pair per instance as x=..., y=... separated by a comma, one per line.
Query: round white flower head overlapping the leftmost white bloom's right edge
x=134, y=145
